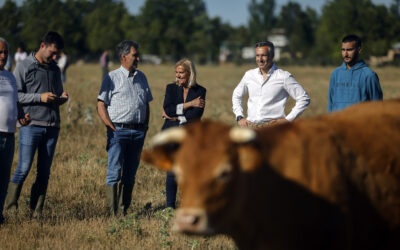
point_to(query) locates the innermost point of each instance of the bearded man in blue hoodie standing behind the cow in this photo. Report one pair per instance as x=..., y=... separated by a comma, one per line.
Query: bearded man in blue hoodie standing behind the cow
x=354, y=81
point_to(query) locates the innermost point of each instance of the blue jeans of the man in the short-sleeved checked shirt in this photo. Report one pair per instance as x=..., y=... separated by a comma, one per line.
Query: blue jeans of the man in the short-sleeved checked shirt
x=124, y=147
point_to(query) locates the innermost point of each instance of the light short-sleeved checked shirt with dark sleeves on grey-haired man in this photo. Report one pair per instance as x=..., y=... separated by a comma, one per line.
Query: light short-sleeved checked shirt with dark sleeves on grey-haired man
x=126, y=96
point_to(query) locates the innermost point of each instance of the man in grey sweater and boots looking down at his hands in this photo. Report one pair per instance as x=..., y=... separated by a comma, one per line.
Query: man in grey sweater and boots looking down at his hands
x=40, y=93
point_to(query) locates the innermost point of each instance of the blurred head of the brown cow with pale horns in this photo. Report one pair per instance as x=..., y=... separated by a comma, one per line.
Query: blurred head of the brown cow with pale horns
x=209, y=160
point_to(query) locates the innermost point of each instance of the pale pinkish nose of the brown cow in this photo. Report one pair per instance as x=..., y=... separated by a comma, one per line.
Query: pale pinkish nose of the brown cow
x=191, y=220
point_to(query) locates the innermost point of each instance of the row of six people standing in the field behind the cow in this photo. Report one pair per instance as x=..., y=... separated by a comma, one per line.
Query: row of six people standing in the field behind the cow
x=30, y=98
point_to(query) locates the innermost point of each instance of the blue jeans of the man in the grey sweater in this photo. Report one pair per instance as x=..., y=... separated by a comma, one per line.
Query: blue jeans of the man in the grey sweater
x=44, y=139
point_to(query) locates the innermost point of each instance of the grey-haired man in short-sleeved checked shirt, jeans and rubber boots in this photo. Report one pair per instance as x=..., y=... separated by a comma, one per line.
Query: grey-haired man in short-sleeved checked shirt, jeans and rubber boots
x=123, y=106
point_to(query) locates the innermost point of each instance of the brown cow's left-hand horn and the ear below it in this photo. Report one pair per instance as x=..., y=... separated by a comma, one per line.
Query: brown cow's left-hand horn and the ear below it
x=164, y=146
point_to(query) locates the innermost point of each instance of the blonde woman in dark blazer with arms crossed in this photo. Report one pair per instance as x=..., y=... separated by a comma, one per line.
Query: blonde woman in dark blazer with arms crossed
x=184, y=102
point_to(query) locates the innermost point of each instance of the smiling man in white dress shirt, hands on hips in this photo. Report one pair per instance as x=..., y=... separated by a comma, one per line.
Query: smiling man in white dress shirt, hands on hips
x=268, y=88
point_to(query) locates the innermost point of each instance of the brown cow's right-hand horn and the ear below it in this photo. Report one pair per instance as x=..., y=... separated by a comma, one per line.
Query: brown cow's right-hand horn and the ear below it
x=249, y=157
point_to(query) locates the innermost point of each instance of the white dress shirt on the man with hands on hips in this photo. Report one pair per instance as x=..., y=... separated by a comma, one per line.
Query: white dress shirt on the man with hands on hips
x=267, y=98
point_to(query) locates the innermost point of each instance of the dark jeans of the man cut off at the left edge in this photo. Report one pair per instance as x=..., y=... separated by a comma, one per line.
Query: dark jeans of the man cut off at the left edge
x=6, y=157
